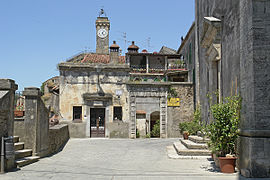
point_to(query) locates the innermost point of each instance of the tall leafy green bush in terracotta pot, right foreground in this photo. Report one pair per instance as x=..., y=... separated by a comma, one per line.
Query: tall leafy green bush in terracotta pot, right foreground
x=223, y=132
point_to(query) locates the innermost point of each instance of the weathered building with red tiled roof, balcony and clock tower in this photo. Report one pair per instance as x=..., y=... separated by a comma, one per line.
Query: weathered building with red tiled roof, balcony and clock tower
x=104, y=94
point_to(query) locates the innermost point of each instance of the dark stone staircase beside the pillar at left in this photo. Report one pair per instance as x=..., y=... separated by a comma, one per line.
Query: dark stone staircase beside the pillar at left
x=23, y=156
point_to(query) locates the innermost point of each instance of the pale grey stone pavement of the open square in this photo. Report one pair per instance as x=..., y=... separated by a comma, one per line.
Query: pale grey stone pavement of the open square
x=117, y=159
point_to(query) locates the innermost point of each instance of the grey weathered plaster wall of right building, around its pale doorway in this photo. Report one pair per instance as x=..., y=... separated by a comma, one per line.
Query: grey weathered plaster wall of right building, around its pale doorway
x=228, y=12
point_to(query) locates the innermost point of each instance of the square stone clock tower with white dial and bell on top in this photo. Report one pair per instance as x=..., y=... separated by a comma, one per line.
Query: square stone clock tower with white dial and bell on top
x=102, y=34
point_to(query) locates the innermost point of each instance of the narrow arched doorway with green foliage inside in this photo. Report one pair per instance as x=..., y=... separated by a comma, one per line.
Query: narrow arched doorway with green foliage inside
x=155, y=124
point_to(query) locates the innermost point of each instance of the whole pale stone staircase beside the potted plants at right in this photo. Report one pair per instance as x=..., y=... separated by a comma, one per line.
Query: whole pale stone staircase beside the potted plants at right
x=194, y=147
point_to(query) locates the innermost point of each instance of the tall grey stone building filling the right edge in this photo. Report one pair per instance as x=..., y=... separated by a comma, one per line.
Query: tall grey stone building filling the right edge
x=232, y=57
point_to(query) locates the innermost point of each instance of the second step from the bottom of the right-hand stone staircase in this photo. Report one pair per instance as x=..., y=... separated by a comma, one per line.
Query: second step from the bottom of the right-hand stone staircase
x=183, y=151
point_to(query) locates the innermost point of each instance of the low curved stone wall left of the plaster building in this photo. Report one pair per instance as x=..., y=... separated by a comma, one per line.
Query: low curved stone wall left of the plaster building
x=58, y=137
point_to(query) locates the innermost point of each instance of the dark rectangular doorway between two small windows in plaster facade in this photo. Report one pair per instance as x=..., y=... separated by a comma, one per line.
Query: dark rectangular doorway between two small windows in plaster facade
x=97, y=122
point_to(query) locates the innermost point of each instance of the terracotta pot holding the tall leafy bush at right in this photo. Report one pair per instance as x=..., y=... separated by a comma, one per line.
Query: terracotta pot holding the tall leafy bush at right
x=227, y=164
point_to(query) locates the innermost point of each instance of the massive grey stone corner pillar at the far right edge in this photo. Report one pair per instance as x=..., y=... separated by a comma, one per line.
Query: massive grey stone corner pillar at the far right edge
x=254, y=141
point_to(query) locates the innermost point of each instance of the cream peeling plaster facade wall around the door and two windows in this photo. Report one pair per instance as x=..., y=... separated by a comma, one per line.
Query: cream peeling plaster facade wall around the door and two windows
x=75, y=83
